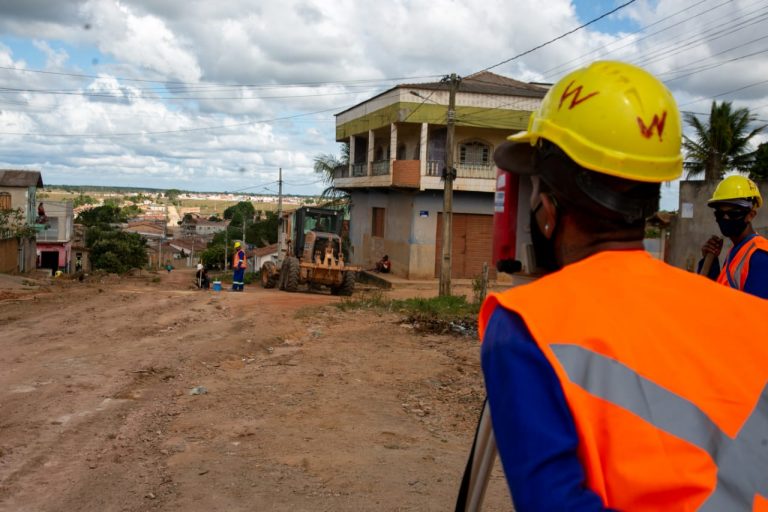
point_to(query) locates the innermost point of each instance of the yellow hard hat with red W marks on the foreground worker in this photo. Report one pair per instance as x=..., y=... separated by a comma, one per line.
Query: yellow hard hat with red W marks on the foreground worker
x=613, y=118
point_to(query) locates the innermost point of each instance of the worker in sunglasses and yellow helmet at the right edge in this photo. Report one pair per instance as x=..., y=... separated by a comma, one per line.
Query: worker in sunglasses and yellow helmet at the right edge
x=735, y=202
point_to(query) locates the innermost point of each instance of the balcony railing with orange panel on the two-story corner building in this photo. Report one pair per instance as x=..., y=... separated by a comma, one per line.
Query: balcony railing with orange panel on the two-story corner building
x=409, y=174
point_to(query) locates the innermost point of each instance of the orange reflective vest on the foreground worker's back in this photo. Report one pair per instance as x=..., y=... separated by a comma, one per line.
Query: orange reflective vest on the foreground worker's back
x=665, y=375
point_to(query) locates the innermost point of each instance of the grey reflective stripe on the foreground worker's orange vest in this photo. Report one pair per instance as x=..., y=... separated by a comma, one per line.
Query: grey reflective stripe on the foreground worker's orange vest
x=742, y=462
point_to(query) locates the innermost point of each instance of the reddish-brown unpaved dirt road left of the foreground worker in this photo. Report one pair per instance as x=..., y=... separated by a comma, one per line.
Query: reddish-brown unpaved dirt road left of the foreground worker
x=308, y=408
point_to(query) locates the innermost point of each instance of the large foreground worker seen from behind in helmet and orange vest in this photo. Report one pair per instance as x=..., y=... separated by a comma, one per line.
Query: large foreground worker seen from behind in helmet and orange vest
x=610, y=381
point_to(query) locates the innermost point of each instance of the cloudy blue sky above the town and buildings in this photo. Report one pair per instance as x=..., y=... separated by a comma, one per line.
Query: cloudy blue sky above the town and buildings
x=216, y=96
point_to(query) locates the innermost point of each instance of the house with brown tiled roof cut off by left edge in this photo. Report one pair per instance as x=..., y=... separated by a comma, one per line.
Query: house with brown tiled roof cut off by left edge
x=18, y=190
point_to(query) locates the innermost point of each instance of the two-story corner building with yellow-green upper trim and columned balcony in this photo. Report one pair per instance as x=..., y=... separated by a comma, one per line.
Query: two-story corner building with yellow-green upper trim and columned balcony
x=397, y=149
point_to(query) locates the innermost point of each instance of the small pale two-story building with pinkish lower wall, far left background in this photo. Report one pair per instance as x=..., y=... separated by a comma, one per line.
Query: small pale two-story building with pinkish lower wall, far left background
x=54, y=242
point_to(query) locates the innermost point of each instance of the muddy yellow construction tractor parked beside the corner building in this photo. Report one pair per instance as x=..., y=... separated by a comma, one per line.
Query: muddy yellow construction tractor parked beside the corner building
x=311, y=252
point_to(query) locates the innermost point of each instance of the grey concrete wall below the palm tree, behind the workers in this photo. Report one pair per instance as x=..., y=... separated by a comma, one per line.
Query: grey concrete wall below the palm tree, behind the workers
x=695, y=223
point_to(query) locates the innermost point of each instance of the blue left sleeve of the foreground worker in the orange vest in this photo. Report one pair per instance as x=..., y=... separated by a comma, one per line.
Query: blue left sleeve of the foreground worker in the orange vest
x=535, y=432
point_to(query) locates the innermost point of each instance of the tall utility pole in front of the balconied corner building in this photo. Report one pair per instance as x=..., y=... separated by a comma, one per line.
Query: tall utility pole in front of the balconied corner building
x=449, y=174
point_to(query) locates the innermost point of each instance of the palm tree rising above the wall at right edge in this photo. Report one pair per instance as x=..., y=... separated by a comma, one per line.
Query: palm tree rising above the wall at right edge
x=720, y=144
